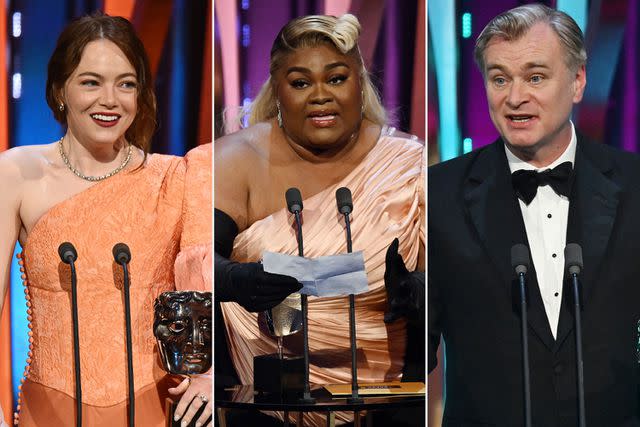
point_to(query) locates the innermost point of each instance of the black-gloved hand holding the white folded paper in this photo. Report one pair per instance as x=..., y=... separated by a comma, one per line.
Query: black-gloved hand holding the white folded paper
x=249, y=285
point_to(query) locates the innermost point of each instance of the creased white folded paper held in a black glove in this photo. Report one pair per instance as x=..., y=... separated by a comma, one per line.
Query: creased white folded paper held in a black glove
x=326, y=276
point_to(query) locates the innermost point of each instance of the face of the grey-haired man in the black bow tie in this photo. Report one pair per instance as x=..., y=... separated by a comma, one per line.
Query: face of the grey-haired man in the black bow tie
x=531, y=92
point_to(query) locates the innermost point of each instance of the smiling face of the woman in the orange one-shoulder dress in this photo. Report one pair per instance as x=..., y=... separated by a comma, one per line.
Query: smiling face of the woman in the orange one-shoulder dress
x=100, y=96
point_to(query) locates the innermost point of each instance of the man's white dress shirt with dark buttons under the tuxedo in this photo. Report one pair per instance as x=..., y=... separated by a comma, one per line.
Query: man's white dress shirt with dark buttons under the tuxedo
x=545, y=220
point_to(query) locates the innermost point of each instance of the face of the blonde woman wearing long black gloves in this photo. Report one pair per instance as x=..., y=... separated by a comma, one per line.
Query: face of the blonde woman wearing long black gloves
x=320, y=97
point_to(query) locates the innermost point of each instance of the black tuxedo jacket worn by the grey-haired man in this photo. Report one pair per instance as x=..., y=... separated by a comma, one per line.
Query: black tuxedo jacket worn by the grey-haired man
x=474, y=220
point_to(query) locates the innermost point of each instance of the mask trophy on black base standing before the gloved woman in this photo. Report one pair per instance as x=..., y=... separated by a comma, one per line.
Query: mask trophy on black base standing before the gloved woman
x=279, y=372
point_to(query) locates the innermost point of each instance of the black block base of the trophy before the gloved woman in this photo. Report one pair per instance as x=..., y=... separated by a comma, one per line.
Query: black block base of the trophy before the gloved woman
x=271, y=374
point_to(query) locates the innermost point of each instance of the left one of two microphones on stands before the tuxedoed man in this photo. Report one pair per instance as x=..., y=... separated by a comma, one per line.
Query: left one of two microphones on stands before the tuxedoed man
x=520, y=262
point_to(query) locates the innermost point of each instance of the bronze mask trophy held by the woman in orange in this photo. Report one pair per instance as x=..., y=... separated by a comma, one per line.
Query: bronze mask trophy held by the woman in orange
x=182, y=327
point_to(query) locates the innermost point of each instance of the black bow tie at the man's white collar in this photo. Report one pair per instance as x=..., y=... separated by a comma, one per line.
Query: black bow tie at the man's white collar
x=526, y=182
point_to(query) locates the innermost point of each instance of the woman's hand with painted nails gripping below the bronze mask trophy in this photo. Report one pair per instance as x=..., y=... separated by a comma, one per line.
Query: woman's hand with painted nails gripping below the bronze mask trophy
x=196, y=392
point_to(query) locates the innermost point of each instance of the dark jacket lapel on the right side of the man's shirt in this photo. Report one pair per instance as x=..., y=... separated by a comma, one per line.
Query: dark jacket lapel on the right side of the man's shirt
x=592, y=211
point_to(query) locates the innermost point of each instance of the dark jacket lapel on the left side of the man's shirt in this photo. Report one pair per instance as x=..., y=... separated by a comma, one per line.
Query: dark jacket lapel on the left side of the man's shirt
x=495, y=213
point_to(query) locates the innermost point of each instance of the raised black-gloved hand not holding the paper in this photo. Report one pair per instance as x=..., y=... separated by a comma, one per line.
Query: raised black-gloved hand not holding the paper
x=405, y=289
